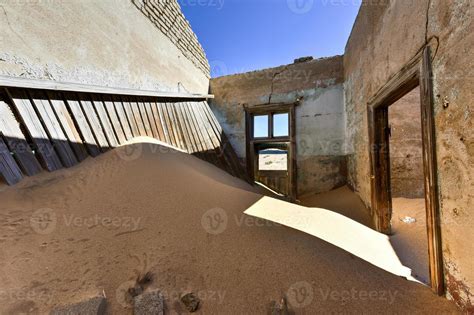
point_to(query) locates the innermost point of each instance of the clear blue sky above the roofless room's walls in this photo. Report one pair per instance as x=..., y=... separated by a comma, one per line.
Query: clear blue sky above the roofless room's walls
x=245, y=35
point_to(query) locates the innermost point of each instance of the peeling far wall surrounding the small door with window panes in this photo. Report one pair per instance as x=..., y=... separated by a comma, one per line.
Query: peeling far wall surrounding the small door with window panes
x=319, y=118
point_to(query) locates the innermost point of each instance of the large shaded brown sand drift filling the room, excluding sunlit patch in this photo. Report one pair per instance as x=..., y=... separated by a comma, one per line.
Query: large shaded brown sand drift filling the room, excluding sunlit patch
x=181, y=218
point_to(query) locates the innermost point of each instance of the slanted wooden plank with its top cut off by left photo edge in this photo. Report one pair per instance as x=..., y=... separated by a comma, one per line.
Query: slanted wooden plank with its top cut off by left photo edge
x=16, y=141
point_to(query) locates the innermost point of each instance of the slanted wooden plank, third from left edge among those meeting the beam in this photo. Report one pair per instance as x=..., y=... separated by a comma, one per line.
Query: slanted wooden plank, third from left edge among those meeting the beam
x=53, y=129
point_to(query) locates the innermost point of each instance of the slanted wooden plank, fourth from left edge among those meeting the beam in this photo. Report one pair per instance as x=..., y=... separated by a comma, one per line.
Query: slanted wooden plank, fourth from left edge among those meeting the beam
x=68, y=126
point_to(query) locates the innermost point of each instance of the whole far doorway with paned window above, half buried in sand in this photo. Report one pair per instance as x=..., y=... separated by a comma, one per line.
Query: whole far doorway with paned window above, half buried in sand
x=271, y=148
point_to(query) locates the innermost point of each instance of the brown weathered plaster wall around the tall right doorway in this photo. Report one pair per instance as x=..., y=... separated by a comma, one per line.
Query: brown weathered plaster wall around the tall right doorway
x=386, y=35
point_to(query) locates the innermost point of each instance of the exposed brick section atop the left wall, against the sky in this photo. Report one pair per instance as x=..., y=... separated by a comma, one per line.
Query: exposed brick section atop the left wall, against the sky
x=166, y=15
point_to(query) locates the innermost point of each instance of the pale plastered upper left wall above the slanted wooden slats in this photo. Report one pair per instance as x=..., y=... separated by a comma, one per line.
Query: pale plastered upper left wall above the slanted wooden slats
x=106, y=43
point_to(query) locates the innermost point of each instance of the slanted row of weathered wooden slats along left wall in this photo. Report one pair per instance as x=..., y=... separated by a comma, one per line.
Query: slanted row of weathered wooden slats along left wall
x=51, y=129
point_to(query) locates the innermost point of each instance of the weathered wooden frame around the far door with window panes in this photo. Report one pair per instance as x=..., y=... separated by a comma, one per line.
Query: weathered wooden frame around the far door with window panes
x=250, y=141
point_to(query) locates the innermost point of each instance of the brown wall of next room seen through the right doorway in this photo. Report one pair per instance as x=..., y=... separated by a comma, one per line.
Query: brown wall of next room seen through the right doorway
x=406, y=154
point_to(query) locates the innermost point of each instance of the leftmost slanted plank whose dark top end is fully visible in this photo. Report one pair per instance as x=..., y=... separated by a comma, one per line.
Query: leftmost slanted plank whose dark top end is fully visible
x=35, y=129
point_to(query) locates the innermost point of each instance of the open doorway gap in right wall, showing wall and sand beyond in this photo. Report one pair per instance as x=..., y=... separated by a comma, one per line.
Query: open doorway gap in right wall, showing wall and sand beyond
x=409, y=237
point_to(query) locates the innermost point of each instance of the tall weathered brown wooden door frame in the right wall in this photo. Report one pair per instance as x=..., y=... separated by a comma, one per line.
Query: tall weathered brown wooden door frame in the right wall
x=417, y=73
